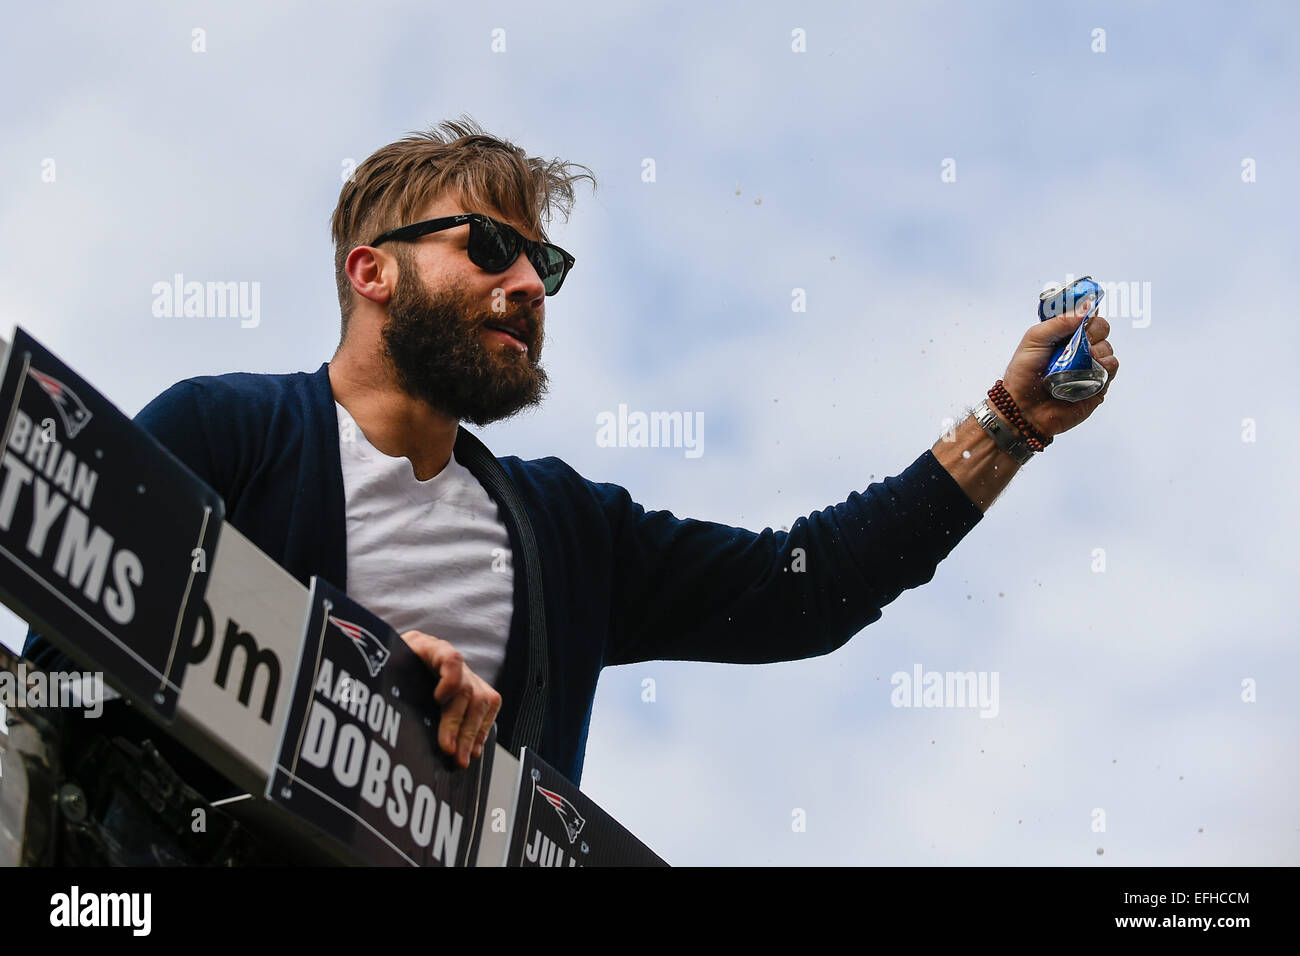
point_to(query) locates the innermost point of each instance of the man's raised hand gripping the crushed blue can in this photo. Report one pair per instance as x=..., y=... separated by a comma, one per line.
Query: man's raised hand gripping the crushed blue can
x=1024, y=377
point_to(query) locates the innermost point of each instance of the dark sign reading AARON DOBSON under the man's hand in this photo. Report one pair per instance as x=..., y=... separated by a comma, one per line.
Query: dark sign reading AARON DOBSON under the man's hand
x=359, y=756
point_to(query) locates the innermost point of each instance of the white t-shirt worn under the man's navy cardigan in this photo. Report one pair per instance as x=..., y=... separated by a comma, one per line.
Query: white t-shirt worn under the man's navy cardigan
x=427, y=556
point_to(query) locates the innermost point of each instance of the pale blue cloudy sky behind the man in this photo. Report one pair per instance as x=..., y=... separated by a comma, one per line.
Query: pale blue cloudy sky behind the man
x=920, y=171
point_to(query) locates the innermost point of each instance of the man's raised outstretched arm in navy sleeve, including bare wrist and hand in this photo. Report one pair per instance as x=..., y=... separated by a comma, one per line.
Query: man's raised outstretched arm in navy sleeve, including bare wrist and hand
x=700, y=591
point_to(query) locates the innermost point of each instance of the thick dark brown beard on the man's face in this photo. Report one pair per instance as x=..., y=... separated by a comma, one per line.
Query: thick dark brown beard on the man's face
x=437, y=347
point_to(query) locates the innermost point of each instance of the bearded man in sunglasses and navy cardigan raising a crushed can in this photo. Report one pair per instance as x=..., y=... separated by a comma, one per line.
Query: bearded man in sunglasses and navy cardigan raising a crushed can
x=515, y=581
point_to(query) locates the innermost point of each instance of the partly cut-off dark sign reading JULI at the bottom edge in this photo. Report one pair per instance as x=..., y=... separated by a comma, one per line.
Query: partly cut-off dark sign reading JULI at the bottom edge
x=557, y=825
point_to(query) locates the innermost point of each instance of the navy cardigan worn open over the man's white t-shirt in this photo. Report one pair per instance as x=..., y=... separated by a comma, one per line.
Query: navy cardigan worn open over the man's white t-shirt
x=599, y=579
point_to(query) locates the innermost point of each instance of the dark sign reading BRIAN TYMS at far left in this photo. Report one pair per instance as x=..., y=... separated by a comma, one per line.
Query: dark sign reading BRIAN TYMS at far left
x=106, y=538
